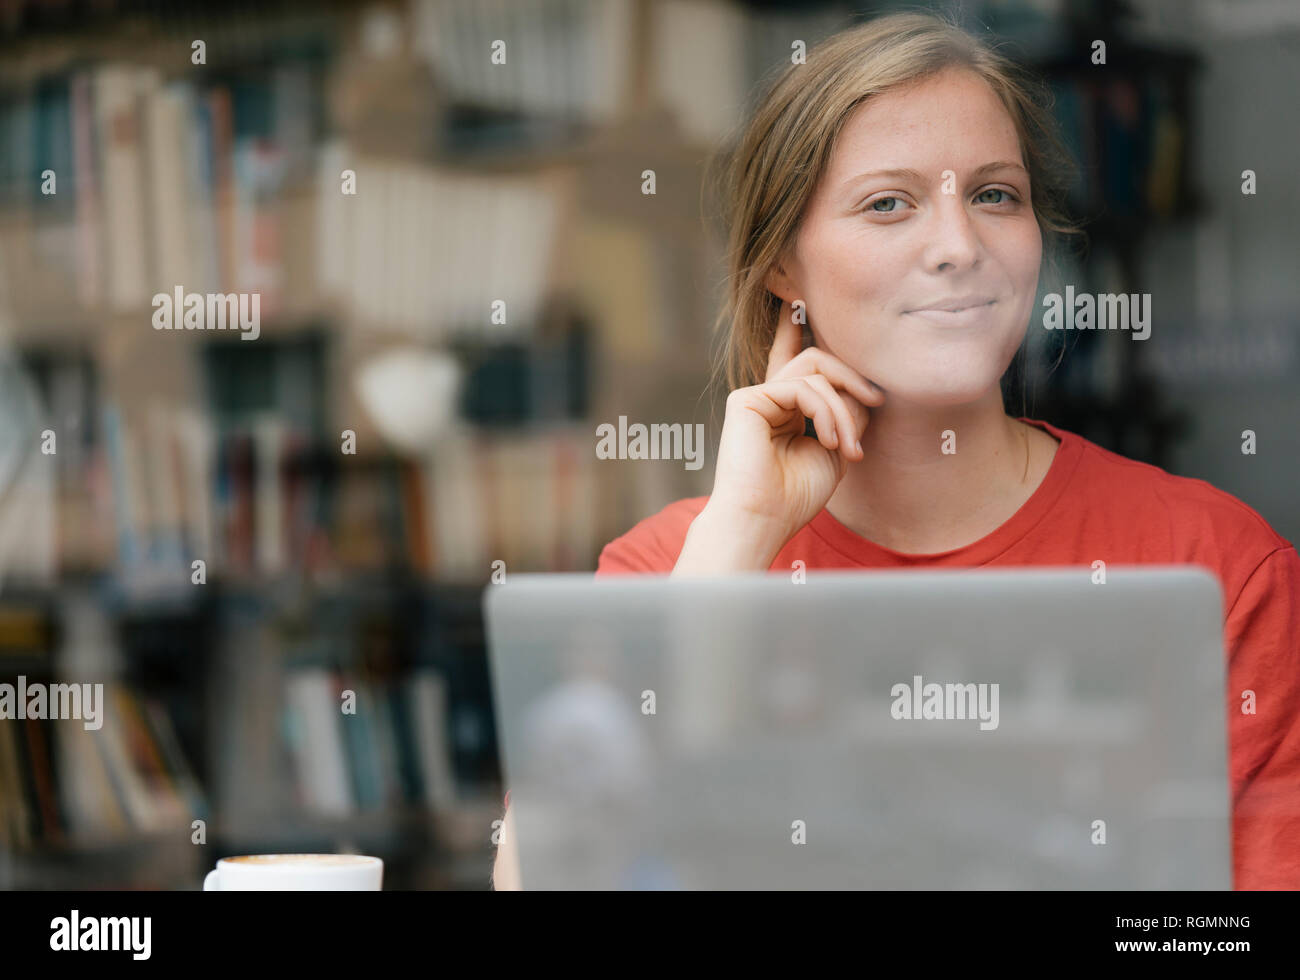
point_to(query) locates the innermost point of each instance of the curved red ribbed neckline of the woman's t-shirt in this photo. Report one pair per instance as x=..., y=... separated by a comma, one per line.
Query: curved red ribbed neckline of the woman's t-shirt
x=998, y=541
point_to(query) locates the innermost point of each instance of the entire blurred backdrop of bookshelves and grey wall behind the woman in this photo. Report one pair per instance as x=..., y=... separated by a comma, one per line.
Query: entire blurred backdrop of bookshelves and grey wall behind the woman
x=461, y=277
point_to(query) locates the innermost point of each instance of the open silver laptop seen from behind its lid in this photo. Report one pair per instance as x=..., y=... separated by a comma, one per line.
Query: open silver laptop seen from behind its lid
x=886, y=730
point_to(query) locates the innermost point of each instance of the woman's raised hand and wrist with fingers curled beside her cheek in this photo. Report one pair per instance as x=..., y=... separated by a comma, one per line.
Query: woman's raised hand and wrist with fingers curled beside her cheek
x=770, y=480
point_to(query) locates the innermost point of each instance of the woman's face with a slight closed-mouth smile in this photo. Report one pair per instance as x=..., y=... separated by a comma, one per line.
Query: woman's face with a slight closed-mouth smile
x=876, y=248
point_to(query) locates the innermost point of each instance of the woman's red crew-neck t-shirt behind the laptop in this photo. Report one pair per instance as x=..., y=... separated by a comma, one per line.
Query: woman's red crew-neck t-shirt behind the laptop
x=1097, y=505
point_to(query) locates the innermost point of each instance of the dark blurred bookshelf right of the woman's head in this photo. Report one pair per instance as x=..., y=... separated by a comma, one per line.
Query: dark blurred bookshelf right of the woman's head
x=1130, y=128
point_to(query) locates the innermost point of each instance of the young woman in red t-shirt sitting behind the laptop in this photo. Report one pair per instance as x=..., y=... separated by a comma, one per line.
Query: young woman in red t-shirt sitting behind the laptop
x=895, y=194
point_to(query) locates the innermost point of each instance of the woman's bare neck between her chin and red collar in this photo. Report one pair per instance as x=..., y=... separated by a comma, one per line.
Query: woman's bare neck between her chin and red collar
x=942, y=479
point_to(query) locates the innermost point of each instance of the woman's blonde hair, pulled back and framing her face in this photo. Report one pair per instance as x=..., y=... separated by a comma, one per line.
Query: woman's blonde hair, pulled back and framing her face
x=787, y=145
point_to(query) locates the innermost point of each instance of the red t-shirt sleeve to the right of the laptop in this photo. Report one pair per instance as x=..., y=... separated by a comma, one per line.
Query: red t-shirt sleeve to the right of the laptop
x=1263, y=635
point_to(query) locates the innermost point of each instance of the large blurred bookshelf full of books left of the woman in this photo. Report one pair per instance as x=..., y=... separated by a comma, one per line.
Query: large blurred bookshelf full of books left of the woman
x=326, y=574
